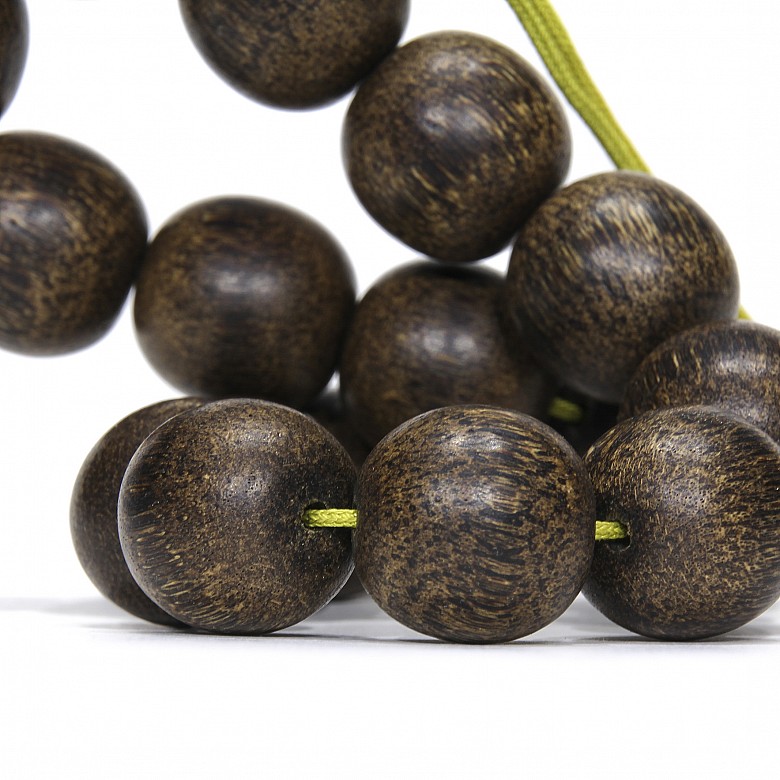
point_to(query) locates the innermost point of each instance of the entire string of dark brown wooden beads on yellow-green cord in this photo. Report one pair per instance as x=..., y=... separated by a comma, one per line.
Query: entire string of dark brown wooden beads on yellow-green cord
x=472, y=522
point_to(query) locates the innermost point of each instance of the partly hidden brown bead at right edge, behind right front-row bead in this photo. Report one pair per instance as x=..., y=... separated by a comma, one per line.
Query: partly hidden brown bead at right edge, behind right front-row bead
x=734, y=365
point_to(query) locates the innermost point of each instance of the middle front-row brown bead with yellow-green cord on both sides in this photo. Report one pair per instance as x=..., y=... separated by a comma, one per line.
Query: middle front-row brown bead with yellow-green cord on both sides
x=475, y=524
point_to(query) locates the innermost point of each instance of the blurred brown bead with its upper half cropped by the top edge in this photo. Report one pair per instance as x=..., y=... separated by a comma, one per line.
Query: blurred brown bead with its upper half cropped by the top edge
x=294, y=54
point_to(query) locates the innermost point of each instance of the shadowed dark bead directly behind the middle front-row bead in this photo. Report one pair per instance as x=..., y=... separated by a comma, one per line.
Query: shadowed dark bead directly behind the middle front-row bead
x=429, y=335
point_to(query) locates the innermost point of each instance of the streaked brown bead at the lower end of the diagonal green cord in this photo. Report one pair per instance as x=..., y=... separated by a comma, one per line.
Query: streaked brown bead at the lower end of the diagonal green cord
x=607, y=269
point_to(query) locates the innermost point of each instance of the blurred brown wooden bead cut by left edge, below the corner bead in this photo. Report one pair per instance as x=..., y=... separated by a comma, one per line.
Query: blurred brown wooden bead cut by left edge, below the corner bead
x=72, y=236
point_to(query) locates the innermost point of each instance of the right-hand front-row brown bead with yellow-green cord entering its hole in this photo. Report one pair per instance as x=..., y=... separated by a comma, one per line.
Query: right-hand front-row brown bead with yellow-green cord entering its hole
x=699, y=491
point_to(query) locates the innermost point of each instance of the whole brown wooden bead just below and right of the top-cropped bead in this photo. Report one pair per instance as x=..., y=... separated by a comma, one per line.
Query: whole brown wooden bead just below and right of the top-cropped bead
x=451, y=144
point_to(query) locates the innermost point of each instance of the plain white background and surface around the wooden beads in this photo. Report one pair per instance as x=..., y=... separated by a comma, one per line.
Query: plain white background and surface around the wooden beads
x=87, y=691
